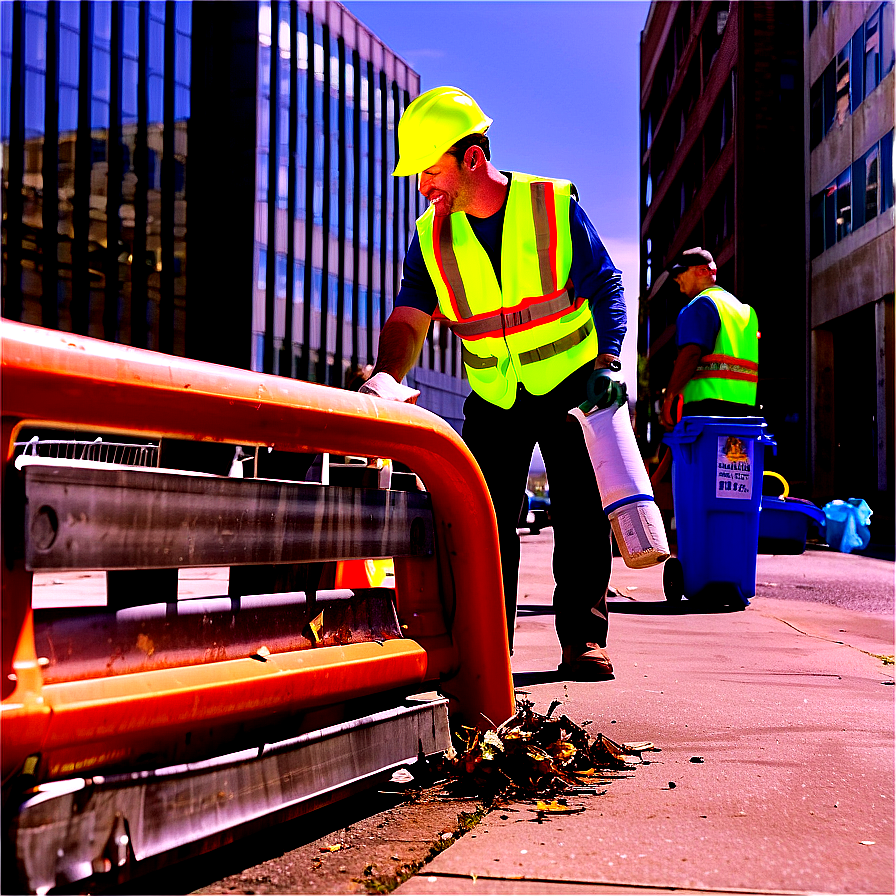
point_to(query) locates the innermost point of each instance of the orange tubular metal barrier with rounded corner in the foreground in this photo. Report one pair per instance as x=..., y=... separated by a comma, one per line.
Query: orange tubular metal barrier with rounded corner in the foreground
x=54, y=379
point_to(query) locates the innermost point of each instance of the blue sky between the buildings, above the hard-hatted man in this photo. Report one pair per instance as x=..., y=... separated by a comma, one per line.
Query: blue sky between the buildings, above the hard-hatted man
x=561, y=81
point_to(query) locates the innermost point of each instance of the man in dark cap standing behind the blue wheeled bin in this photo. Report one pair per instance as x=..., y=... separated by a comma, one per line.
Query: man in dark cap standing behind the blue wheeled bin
x=717, y=366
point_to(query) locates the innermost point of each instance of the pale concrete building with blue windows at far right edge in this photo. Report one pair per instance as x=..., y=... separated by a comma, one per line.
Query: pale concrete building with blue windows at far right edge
x=849, y=101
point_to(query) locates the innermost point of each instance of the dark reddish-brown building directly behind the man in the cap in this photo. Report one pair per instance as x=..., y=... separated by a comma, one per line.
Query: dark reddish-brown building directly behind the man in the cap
x=722, y=168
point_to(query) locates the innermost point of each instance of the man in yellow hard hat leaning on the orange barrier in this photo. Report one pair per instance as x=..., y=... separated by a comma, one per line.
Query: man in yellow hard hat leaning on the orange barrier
x=522, y=278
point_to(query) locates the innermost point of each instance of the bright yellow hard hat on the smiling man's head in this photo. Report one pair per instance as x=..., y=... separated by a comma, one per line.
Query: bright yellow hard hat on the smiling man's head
x=432, y=124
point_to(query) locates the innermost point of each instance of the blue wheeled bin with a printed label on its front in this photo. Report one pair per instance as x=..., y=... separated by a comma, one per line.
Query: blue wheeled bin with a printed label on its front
x=717, y=467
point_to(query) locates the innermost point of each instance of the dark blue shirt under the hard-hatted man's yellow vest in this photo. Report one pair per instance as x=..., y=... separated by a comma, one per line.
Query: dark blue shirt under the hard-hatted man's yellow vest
x=593, y=274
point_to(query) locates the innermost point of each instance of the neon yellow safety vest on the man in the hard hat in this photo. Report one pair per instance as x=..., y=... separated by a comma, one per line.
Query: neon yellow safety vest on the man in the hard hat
x=530, y=329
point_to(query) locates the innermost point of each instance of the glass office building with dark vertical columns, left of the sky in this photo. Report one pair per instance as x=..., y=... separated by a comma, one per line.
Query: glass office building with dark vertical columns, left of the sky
x=210, y=180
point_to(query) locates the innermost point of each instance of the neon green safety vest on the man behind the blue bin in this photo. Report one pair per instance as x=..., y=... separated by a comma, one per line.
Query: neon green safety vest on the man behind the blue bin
x=731, y=371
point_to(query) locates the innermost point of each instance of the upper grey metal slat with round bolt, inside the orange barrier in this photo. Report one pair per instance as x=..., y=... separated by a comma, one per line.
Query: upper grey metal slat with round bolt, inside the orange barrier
x=89, y=517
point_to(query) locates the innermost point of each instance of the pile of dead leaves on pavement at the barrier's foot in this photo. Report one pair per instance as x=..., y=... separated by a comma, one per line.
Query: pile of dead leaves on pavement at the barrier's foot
x=534, y=755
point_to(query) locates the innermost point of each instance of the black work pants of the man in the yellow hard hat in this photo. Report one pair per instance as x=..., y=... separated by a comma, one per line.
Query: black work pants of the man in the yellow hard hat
x=502, y=441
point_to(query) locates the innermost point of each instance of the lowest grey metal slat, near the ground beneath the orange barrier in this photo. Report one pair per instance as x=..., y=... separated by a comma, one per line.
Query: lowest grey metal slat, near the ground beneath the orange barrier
x=70, y=829
